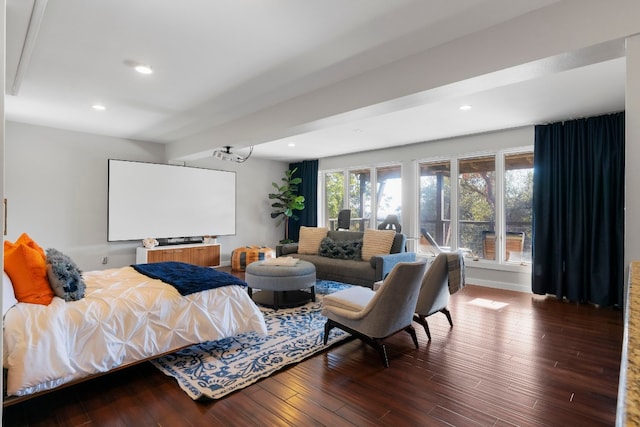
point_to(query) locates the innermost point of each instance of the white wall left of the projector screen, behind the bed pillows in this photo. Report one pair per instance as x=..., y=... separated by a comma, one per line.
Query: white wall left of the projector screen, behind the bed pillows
x=56, y=187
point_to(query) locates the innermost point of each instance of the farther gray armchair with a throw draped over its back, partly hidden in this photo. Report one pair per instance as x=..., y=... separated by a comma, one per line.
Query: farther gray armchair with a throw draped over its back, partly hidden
x=434, y=292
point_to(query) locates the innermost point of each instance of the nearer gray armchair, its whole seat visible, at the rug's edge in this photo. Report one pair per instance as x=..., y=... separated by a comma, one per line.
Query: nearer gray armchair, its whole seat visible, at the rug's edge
x=374, y=316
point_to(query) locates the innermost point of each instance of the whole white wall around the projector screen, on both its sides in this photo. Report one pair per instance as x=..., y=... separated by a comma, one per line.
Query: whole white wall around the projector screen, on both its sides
x=56, y=186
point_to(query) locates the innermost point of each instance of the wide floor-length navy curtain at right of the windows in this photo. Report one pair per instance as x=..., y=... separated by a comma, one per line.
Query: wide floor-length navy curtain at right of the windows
x=578, y=210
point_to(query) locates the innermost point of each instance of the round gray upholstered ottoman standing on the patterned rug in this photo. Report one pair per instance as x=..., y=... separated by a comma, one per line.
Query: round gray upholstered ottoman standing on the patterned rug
x=281, y=285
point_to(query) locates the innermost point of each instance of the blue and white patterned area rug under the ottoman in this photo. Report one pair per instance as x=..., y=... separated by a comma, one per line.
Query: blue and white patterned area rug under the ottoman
x=214, y=369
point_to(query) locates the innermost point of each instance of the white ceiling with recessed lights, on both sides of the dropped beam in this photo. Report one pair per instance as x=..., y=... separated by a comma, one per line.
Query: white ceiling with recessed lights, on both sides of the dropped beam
x=216, y=61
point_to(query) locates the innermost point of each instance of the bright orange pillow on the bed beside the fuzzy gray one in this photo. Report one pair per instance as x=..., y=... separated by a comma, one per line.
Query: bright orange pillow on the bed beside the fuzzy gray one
x=25, y=263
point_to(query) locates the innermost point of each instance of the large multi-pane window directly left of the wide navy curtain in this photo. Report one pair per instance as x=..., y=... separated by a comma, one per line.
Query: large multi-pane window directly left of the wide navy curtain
x=492, y=205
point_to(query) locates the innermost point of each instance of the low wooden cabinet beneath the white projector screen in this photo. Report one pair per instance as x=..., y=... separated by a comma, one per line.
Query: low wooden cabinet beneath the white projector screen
x=205, y=255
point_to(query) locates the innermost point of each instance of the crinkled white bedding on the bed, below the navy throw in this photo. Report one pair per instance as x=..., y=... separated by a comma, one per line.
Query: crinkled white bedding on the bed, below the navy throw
x=124, y=317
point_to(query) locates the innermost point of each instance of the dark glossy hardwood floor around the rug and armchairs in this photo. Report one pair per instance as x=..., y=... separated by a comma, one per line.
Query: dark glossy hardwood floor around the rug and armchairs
x=533, y=362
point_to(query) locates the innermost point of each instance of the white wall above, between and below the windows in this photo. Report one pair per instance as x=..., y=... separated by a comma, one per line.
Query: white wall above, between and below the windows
x=511, y=277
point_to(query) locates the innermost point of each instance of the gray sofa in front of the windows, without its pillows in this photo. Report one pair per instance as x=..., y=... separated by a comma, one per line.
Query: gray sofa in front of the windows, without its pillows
x=355, y=272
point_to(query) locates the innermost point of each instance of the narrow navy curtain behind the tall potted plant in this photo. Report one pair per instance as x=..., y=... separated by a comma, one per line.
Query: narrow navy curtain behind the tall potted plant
x=308, y=171
